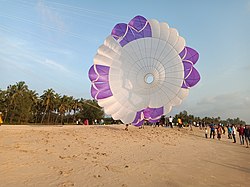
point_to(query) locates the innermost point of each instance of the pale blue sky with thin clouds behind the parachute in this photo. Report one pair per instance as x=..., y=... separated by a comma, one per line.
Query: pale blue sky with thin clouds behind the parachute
x=51, y=44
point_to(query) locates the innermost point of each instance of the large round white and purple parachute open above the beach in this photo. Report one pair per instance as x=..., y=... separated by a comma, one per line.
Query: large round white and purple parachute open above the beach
x=142, y=70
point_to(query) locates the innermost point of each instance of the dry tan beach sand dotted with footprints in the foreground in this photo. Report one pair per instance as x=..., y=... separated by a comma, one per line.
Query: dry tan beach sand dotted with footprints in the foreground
x=110, y=156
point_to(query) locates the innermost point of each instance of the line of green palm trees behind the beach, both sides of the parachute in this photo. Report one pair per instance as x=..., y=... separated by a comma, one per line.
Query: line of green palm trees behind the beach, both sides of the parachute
x=20, y=105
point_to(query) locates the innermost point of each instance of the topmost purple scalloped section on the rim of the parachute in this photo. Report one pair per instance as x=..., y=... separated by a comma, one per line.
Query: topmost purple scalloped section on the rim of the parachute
x=137, y=28
